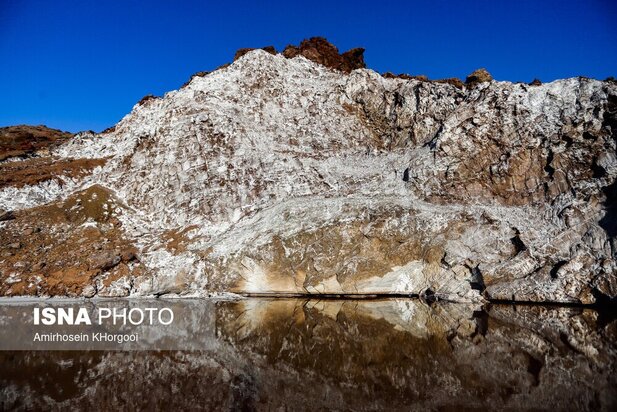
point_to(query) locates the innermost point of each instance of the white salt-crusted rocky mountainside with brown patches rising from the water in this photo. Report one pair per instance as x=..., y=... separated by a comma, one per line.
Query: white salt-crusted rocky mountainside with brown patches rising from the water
x=281, y=175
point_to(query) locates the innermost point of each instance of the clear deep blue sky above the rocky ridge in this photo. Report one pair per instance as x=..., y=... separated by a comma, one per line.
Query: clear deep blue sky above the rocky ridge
x=83, y=64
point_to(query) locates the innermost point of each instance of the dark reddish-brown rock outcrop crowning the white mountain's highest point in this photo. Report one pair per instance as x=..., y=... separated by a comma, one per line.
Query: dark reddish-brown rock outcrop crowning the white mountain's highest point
x=319, y=50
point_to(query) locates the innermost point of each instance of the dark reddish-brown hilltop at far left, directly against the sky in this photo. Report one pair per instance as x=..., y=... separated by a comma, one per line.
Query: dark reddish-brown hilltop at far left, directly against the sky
x=23, y=141
